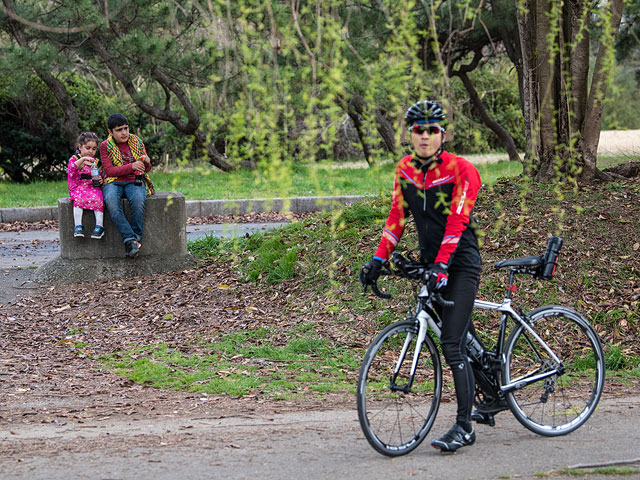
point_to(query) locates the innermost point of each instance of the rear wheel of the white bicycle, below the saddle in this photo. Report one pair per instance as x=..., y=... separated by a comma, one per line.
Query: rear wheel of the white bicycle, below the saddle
x=560, y=403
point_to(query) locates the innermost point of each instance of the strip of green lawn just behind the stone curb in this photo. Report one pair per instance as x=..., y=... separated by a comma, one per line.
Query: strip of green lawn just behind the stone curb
x=287, y=181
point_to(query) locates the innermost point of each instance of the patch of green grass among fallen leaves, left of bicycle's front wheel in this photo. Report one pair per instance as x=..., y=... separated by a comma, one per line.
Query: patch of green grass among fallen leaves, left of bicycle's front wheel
x=240, y=363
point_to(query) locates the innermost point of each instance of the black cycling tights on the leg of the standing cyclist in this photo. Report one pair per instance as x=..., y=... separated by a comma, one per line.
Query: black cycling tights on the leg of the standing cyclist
x=456, y=321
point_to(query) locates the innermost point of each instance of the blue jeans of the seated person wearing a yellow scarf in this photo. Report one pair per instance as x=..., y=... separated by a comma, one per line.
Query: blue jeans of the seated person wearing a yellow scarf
x=137, y=196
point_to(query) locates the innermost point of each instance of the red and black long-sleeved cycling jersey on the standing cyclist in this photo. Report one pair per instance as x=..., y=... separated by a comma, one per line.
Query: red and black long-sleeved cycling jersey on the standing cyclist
x=441, y=201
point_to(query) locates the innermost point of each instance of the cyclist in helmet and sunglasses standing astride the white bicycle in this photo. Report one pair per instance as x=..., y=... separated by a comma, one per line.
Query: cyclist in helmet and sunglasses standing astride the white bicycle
x=439, y=190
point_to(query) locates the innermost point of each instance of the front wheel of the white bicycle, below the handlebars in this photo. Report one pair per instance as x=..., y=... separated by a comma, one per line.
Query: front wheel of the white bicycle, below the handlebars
x=396, y=411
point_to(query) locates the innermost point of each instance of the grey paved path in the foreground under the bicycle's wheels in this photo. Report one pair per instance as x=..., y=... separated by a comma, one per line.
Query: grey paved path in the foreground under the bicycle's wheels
x=307, y=445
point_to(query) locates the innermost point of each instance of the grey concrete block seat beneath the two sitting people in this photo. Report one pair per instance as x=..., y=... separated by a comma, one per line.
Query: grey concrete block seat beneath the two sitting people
x=164, y=244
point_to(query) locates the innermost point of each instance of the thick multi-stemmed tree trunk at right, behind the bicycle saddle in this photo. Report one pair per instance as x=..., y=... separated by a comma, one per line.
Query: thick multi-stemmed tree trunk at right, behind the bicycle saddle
x=555, y=78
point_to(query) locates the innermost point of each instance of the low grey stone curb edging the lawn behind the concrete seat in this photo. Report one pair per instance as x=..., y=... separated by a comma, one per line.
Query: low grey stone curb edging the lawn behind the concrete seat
x=203, y=208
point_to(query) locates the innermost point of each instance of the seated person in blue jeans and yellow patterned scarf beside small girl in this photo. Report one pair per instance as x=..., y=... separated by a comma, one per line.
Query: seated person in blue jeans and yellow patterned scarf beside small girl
x=124, y=160
